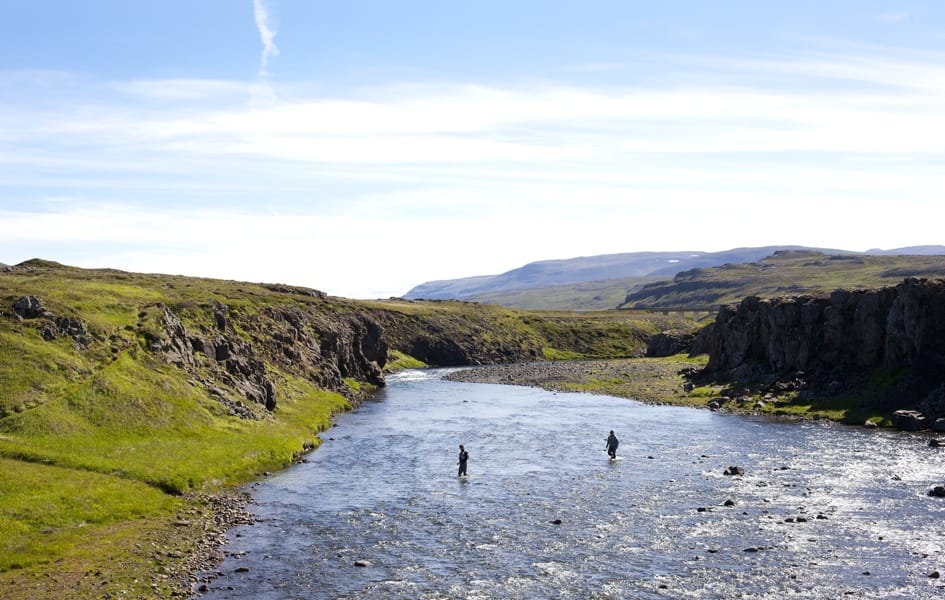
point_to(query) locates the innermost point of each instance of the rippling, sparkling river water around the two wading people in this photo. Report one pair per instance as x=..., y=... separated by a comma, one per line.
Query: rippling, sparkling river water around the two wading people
x=822, y=510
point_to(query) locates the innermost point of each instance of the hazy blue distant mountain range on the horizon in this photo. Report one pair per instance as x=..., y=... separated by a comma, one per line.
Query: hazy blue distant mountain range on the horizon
x=594, y=282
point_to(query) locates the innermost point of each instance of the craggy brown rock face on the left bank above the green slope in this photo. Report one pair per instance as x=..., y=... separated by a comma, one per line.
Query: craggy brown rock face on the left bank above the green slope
x=229, y=354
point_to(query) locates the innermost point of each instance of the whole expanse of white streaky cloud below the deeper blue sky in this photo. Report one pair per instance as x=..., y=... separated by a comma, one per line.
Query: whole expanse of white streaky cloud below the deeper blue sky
x=464, y=180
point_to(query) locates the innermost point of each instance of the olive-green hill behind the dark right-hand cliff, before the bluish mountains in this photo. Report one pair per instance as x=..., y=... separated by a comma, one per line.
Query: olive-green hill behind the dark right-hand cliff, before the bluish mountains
x=782, y=274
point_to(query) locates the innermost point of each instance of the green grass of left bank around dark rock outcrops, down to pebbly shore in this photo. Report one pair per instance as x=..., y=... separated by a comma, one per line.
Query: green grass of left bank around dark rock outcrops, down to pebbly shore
x=107, y=451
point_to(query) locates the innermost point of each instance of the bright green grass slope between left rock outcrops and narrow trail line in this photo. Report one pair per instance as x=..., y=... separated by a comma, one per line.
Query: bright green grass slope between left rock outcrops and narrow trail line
x=145, y=425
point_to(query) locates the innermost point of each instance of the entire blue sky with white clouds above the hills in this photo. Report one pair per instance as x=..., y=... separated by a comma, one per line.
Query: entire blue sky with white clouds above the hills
x=365, y=147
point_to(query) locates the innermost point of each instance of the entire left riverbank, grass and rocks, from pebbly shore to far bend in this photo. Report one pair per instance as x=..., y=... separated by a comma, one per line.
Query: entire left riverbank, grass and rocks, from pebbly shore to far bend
x=131, y=403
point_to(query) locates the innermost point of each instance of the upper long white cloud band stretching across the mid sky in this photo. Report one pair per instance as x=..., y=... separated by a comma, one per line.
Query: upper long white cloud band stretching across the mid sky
x=501, y=126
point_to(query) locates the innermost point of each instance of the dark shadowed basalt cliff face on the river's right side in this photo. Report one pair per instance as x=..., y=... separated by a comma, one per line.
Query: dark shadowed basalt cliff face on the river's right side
x=828, y=338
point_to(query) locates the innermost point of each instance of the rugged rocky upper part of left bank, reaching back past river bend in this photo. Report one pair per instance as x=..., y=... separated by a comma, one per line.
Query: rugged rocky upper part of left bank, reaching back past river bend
x=248, y=346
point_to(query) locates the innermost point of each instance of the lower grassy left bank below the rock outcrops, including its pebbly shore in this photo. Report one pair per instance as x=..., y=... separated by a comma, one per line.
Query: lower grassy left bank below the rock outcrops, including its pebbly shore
x=91, y=496
